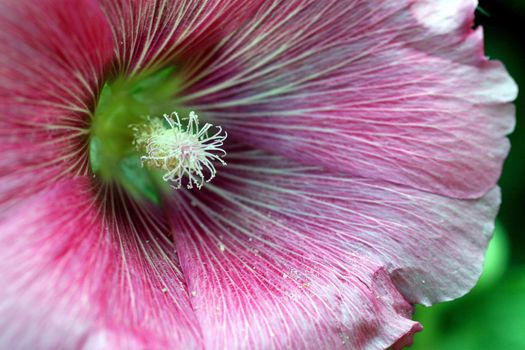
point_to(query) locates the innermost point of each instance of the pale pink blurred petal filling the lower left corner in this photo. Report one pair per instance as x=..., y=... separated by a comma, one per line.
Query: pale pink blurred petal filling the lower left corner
x=80, y=273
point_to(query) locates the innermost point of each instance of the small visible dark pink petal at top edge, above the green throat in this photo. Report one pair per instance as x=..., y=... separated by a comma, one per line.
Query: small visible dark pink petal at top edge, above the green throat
x=152, y=33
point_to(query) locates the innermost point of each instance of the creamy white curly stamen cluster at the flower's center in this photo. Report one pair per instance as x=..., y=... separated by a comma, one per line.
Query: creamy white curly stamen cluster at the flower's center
x=181, y=152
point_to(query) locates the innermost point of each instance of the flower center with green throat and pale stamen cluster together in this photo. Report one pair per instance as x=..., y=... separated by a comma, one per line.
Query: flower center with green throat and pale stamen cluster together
x=154, y=152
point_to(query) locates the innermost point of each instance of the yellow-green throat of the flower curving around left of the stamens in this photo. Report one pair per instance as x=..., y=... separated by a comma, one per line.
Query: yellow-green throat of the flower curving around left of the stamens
x=124, y=102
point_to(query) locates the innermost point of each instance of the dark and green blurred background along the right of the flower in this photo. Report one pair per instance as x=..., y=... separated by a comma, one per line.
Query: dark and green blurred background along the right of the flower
x=492, y=316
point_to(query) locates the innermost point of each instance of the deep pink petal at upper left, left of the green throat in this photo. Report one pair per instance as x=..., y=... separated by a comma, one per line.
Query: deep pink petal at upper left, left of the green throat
x=53, y=55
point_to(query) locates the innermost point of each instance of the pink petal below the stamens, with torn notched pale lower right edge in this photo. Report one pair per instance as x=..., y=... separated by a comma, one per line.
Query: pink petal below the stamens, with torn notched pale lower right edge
x=277, y=255
